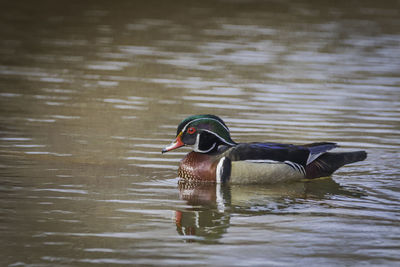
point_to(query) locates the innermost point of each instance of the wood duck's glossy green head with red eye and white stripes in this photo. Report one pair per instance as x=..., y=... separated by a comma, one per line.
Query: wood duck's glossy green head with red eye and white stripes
x=202, y=132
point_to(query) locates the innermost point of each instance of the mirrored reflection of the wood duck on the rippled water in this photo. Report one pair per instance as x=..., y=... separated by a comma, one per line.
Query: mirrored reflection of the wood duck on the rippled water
x=209, y=216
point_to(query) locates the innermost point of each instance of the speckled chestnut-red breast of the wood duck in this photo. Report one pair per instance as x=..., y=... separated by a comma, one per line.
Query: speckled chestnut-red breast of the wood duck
x=198, y=166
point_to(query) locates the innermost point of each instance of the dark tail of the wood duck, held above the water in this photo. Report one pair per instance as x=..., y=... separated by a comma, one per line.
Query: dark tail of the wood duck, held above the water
x=329, y=162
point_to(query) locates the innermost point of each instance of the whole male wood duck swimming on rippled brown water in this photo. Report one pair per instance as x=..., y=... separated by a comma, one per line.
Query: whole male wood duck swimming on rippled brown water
x=217, y=158
